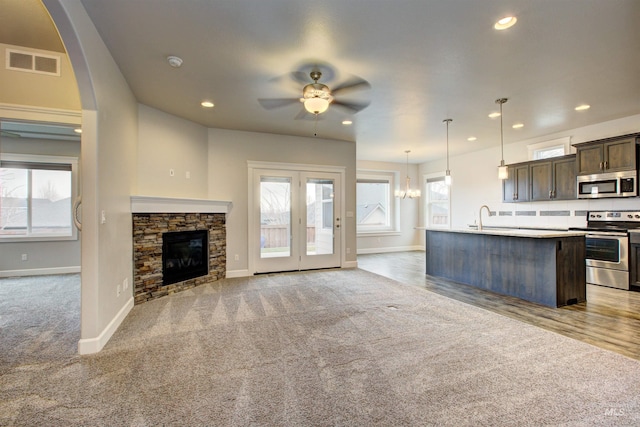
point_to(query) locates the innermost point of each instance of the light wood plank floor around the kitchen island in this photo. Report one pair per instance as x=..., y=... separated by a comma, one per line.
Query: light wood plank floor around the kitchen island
x=610, y=318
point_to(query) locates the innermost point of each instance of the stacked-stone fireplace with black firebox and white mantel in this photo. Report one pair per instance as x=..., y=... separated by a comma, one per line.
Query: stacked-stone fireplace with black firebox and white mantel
x=176, y=225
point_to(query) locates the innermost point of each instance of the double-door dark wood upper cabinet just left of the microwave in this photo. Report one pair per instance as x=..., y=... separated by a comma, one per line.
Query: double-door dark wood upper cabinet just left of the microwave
x=553, y=179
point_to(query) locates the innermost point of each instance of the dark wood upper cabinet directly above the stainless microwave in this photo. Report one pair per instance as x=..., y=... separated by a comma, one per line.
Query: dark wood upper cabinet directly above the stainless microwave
x=607, y=155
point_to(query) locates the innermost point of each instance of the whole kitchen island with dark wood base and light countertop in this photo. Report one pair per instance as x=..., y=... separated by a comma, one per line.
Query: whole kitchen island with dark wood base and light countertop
x=542, y=266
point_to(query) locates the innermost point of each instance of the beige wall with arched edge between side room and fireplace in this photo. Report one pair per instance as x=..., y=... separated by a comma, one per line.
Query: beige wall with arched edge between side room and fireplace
x=108, y=162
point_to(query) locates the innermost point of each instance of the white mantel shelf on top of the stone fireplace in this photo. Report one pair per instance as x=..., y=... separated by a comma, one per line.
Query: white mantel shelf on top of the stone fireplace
x=152, y=204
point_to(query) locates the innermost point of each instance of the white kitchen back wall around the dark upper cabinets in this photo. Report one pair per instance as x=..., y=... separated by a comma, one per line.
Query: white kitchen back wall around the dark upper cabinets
x=475, y=182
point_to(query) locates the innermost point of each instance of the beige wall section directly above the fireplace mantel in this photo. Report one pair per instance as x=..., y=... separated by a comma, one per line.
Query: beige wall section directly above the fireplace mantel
x=166, y=142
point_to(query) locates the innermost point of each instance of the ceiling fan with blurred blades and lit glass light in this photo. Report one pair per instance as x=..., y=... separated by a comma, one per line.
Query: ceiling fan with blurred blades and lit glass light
x=316, y=97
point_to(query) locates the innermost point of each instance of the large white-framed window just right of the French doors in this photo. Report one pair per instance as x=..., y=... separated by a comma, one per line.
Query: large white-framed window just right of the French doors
x=375, y=205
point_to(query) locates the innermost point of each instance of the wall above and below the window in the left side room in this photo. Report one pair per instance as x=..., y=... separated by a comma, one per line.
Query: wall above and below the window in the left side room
x=42, y=257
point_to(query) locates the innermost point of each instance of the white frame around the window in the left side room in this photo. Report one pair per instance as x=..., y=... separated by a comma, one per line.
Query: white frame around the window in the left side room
x=32, y=158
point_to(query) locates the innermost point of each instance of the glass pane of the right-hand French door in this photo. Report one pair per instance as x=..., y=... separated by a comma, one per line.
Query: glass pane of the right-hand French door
x=319, y=229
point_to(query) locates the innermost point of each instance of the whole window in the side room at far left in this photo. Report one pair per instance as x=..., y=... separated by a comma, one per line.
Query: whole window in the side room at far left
x=36, y=194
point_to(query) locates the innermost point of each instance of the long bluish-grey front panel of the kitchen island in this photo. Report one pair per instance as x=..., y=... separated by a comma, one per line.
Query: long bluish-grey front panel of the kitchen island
x=517, y=266
